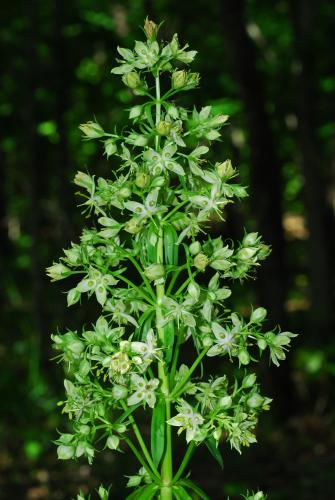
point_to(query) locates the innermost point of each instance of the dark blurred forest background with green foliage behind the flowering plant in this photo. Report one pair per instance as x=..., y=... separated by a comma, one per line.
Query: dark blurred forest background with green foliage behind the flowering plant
x=271, y=66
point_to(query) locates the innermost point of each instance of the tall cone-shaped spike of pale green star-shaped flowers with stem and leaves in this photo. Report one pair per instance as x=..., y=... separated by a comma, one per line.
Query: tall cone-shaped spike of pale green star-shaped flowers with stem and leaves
x=159, y=282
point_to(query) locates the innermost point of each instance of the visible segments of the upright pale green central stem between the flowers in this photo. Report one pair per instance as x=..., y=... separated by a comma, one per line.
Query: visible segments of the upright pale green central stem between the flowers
x=166, y=468
